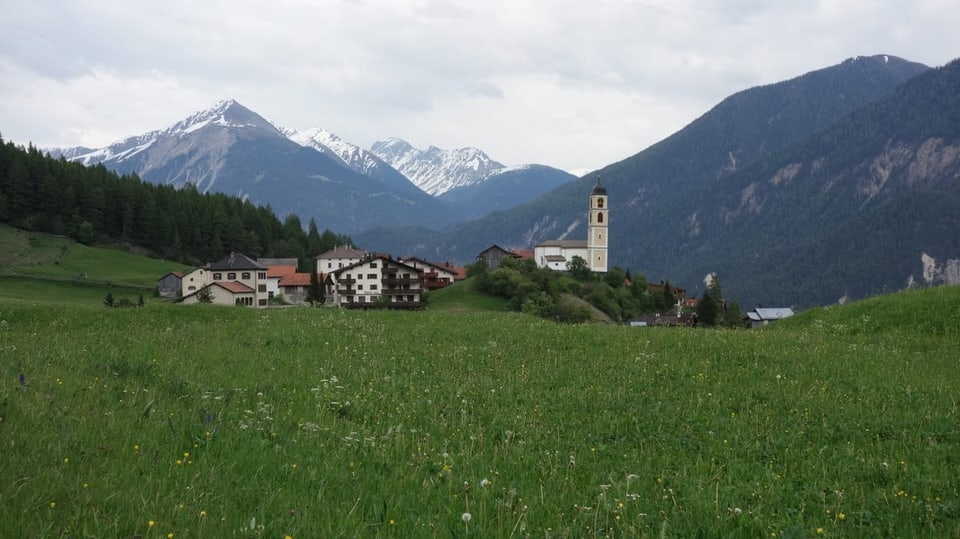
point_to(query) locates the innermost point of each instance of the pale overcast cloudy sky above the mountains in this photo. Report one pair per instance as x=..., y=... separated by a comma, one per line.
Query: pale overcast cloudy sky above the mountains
x=574, y=85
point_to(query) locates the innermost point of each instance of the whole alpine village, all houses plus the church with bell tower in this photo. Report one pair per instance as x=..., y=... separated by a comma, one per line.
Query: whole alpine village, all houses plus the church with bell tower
x=353, y=278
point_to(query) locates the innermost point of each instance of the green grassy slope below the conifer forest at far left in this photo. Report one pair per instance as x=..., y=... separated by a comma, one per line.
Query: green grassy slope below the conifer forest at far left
x=29, y=260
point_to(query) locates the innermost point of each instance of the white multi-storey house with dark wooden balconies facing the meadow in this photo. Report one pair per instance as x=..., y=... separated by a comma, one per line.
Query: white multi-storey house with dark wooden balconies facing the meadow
x=375, y=282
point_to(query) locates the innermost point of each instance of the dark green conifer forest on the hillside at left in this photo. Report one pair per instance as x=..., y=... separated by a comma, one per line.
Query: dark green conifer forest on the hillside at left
x=98, y=207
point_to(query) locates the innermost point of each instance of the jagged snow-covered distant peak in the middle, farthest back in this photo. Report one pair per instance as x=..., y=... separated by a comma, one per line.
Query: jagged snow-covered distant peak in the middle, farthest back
x=435, y=170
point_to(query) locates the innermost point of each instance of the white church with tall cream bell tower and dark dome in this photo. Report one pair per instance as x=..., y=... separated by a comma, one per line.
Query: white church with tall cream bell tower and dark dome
x=557, y=254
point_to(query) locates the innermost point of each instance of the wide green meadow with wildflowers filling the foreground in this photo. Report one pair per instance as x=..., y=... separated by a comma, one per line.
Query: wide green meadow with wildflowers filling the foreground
x=205, y=421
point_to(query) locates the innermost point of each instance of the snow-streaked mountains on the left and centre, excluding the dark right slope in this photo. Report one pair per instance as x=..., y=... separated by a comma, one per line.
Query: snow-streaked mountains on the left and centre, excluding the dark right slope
x=317, y=175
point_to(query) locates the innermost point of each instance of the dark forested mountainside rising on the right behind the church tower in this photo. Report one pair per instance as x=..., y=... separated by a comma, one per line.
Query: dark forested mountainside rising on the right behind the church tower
x=797, y=193
